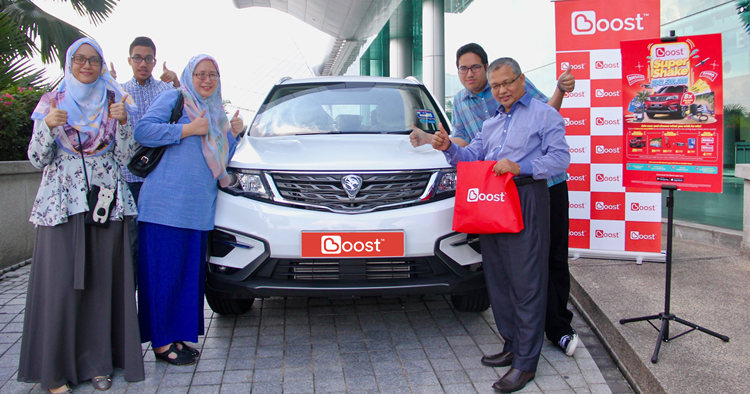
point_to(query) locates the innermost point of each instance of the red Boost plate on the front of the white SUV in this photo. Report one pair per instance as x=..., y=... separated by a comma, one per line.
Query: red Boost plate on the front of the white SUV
x=355, y=244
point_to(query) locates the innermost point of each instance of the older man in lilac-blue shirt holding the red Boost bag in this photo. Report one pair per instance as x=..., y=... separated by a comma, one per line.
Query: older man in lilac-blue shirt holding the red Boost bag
x=526, y=138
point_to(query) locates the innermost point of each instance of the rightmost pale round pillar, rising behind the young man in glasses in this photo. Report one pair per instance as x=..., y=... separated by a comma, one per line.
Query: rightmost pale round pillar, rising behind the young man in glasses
x=433, y=48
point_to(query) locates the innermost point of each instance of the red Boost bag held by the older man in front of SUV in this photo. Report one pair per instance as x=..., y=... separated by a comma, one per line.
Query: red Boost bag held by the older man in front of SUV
x=485, y=203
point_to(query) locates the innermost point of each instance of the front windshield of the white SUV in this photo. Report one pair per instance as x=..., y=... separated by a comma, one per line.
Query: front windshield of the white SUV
x=345, y=107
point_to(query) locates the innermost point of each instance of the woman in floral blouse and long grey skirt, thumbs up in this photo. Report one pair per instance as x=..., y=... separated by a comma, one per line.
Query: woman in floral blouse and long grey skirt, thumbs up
x=80, y=306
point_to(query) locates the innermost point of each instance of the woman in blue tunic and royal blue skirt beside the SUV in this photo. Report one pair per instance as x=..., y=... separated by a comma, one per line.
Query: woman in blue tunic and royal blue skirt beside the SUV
x=177, y=204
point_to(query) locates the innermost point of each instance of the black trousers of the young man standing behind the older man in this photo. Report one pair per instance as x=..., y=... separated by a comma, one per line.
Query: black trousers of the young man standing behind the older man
x=558, y=316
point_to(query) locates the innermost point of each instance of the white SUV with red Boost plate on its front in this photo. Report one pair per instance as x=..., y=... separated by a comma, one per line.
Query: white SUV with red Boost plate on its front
x=329, y=199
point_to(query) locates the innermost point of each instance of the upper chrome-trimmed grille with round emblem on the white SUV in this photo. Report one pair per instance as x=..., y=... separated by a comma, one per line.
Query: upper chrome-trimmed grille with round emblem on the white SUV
x=325, y=191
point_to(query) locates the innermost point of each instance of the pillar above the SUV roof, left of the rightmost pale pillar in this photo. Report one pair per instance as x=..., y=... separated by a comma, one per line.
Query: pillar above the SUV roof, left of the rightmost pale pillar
x=401, y=41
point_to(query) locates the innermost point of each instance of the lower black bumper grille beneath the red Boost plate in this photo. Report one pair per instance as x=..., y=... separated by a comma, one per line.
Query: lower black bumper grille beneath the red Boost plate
x=352, y=270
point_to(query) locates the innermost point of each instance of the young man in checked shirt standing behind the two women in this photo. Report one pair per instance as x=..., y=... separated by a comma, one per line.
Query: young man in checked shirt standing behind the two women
x=143, y=88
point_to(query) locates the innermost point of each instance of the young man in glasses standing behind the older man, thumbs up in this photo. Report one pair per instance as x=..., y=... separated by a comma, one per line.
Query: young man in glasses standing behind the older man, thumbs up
x=471, y=107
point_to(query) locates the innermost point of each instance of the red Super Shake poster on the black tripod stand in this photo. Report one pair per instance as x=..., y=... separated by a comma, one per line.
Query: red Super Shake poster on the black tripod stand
x=673, y=113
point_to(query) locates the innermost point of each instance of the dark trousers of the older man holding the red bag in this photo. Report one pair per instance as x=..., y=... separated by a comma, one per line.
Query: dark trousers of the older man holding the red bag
x=516, y=268
